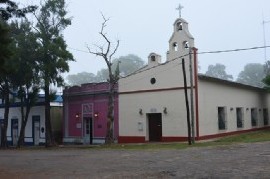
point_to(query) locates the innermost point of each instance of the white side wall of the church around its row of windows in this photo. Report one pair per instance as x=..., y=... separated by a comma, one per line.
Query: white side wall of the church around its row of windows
x=216, y=94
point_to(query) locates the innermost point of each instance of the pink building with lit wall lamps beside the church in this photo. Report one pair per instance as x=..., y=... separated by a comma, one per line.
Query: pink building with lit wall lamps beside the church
x=85, y=113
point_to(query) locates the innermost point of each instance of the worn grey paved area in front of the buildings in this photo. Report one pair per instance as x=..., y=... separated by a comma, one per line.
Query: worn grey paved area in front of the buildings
x=235, y=161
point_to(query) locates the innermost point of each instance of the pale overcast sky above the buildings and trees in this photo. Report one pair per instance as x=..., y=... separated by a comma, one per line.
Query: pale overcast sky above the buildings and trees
x=145, y=26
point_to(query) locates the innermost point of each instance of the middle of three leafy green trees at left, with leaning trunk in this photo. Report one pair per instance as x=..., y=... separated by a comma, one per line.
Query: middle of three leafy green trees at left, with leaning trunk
x=25, y=76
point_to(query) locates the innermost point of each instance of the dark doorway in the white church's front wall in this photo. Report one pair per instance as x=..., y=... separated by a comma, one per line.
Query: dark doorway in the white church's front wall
x=155, y=127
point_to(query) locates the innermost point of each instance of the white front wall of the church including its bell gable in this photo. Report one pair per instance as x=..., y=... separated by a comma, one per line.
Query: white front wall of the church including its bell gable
x=136, y=91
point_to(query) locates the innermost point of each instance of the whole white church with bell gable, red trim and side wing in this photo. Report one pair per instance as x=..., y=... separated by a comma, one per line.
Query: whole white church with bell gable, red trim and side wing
x=152, y=104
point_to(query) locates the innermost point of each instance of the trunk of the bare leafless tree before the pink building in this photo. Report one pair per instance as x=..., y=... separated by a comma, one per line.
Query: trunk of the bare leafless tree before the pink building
x=110, y=116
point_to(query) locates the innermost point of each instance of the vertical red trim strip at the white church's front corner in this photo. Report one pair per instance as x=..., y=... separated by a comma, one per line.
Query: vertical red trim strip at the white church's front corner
x=196, y=90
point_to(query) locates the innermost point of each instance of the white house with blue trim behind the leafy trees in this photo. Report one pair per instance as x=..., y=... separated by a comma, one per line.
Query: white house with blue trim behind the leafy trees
x=35, y=127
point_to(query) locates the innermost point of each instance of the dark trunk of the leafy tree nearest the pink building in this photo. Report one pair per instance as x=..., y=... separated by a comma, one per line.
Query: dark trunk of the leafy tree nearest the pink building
x=48, y=128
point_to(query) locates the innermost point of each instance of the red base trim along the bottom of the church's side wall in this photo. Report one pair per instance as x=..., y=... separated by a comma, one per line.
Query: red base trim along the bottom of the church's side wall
x=231, y=133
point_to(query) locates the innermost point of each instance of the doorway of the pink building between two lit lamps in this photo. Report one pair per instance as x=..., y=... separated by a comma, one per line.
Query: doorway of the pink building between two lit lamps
x=87, y=130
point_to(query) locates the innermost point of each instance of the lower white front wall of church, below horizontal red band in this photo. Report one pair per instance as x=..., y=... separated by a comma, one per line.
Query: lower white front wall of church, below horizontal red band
x=173, y=123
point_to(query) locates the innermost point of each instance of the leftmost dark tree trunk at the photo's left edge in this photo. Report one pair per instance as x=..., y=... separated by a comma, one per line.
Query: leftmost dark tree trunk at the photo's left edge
x=4, y=142
